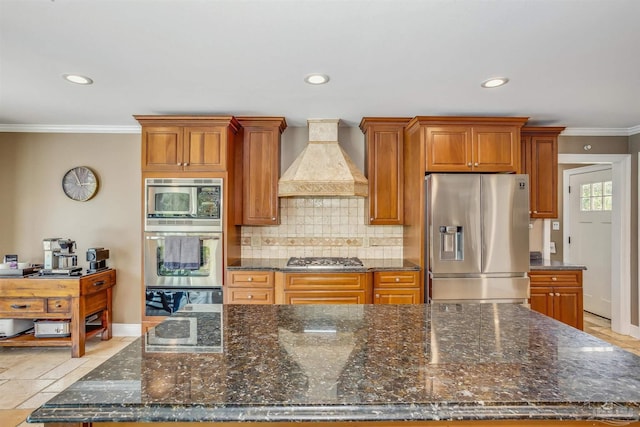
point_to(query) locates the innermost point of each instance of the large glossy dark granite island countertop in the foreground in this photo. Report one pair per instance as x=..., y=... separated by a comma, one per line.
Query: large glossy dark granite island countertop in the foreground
x=363, y=363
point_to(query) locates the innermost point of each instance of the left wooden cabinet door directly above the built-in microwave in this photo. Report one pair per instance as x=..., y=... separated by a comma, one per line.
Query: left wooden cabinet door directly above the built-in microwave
x=162, y=148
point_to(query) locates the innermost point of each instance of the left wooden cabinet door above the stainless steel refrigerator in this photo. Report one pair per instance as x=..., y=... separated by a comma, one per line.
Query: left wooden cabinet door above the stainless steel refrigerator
x=448, y=148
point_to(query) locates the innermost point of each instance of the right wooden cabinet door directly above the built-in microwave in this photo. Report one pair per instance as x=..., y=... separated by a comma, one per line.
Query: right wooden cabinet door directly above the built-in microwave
x=205, y=149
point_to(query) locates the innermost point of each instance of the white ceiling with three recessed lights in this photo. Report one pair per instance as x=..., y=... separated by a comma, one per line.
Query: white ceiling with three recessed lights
x=571, y=63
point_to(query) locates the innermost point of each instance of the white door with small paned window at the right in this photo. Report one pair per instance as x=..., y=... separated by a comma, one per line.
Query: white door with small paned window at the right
x=590, y=204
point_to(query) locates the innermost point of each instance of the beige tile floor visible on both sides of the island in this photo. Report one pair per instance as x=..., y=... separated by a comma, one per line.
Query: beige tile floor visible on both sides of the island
x=31, y=376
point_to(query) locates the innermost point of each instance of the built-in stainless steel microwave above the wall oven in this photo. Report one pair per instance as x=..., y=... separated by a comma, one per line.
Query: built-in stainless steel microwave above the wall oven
x=183, y=204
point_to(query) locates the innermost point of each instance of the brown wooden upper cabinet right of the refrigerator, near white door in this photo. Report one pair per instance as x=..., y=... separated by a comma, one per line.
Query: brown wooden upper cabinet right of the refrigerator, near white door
x=539, y=149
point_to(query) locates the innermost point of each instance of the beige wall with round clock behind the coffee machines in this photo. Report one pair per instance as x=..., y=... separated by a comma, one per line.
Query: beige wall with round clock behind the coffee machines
x=34, y=206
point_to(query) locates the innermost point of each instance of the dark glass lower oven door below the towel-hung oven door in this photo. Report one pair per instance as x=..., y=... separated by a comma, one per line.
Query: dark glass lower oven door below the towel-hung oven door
x=163, y=302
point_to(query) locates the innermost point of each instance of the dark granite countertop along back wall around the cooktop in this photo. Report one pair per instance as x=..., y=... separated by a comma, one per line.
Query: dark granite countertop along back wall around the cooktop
x=279, y=264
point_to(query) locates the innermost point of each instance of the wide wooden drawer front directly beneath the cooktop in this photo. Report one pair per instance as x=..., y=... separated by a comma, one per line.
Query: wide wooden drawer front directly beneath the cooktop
x=327, y=288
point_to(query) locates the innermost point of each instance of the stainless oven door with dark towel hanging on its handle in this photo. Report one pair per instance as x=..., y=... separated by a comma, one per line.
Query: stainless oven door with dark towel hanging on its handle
x=182, y=260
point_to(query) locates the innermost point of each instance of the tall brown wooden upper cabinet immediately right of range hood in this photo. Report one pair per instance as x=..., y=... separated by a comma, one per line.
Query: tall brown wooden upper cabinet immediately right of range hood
x=383, y=159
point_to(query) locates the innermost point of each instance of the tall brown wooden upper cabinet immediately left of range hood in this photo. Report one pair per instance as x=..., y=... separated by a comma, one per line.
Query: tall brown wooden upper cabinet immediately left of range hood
x=261, y=169
